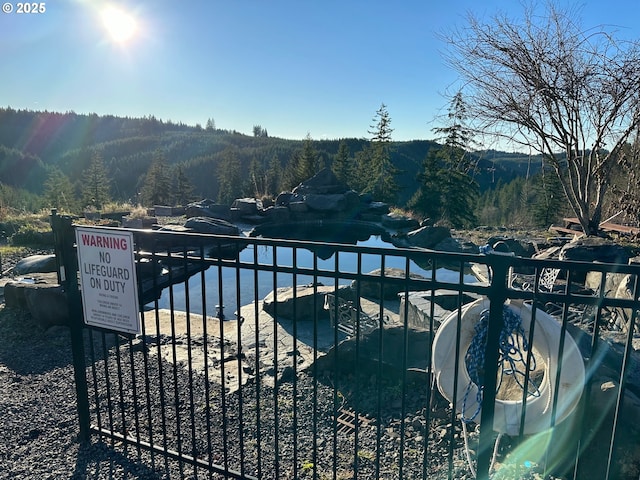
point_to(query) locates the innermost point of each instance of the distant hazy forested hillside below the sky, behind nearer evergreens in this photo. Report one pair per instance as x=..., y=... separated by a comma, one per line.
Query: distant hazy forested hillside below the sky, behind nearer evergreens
x=34, y=143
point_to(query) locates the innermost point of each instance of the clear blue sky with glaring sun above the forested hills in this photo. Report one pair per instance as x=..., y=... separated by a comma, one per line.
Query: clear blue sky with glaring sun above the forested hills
x=294, y=67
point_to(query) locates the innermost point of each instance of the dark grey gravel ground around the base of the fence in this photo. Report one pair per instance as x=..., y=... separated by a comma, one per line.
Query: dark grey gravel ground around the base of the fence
x=39, y=425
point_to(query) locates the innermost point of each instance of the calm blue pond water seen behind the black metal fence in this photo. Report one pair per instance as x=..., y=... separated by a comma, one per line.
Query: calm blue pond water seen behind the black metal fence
x=221, y=283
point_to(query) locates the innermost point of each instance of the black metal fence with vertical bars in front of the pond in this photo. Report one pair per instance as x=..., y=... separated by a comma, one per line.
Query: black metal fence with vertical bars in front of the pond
x=265, y=358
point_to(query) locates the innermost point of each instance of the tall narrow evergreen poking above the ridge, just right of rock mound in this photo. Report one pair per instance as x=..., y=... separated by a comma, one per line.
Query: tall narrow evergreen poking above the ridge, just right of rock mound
x=381, y=180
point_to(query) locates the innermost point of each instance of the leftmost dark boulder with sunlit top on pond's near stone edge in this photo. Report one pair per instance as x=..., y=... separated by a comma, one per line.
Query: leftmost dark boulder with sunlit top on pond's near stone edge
x=306, y=298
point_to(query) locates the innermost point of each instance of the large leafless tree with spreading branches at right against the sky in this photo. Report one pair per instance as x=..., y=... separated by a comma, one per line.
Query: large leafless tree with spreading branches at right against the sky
x=572, y=94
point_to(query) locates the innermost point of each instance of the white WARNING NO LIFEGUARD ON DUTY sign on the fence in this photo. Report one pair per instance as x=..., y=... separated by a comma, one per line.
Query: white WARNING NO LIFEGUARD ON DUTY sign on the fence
x=108, y=279
